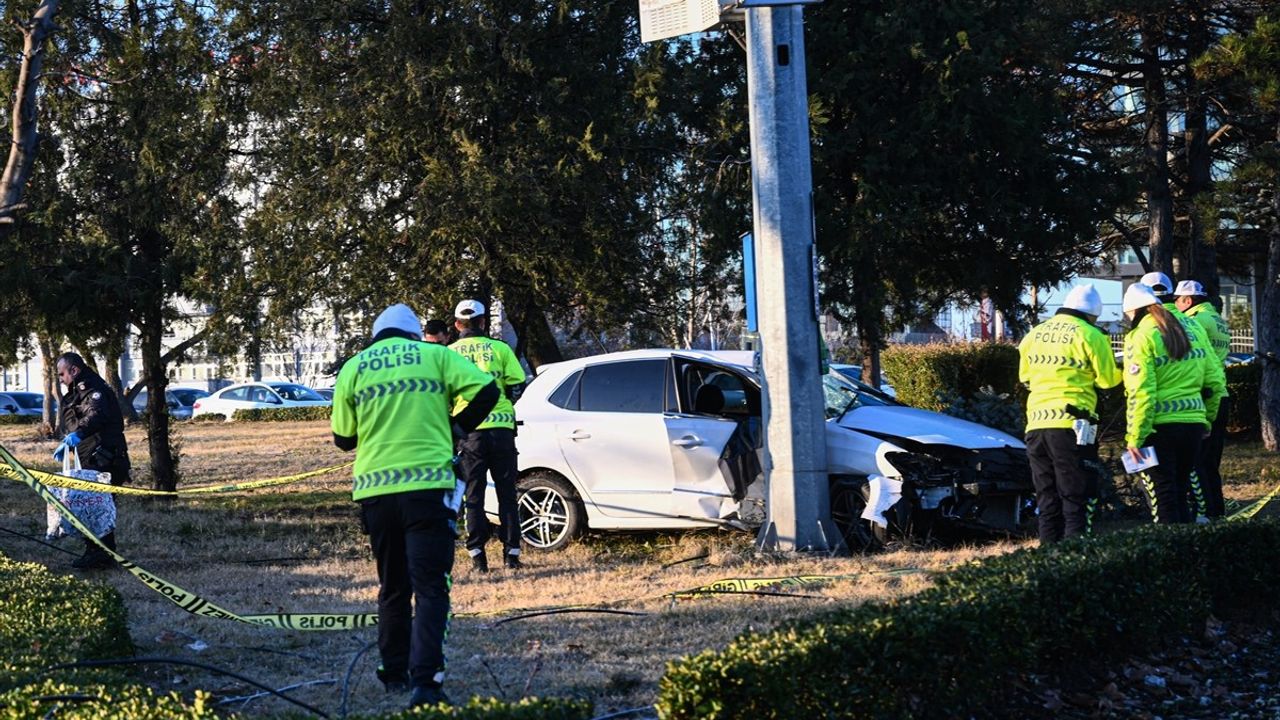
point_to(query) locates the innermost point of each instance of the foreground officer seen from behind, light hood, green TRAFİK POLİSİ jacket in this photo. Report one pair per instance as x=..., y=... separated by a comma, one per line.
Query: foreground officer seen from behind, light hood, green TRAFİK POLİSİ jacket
x=391, y=405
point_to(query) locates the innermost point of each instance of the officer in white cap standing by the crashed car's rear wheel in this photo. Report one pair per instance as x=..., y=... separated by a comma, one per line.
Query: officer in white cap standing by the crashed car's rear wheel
x=492, y=448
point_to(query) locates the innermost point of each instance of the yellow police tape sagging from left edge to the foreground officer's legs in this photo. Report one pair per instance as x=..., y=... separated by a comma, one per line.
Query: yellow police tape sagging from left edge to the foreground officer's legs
x=188, y=600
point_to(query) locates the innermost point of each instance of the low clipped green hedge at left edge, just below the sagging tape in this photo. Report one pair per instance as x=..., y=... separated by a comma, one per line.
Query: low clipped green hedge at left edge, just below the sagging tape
x=47, y=619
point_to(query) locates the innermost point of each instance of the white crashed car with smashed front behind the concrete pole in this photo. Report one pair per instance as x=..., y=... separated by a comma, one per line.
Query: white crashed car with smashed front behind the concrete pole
x=671, y=439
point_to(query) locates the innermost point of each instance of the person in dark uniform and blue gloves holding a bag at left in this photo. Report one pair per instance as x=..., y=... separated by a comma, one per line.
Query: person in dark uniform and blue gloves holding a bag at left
x=95, y=427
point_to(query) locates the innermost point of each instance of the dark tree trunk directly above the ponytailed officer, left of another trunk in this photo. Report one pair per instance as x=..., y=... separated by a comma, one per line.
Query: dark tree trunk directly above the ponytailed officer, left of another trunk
x=1160, y=202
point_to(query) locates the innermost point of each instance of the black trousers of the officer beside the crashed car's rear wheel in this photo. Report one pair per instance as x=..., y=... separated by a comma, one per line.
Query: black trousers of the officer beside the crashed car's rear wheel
x=482, y=454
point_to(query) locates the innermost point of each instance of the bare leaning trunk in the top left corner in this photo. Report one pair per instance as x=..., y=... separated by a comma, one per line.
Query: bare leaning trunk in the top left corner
x=26, y=136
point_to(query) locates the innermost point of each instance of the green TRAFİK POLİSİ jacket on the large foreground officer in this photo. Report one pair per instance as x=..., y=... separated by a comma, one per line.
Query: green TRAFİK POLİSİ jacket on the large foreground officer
x=395, y=399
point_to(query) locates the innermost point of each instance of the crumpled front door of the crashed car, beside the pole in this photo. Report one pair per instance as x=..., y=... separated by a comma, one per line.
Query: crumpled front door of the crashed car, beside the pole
x=705, y=477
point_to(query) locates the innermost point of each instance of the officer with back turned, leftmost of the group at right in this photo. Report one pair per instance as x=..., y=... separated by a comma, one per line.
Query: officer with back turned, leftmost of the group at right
x=1063, y=361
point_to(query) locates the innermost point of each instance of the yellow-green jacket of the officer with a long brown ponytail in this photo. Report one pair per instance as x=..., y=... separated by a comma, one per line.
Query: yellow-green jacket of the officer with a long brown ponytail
x=1162, y=390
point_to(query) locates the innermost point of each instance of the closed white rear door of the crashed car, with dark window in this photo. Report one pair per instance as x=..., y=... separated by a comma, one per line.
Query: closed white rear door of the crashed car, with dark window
x=614, y=438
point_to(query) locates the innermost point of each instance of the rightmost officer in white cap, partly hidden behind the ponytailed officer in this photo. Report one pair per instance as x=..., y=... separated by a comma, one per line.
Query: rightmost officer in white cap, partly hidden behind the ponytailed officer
x=1194, y=302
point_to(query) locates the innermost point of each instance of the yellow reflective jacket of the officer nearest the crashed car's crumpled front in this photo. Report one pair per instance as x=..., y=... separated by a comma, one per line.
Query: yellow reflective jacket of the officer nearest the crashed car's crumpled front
x=1062, y=361
